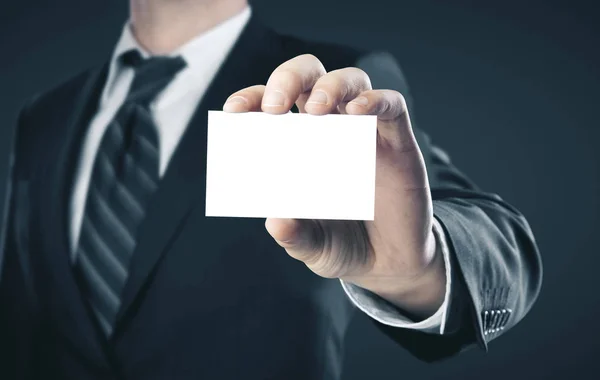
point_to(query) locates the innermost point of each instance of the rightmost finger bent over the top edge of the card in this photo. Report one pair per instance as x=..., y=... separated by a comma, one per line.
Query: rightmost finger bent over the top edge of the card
x=394, y=122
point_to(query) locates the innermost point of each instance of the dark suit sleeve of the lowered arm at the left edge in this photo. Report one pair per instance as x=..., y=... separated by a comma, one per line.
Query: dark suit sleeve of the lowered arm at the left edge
x=17, y=312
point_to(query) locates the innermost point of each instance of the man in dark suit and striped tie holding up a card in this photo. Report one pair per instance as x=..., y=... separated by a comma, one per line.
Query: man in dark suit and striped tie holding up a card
x=110, y=270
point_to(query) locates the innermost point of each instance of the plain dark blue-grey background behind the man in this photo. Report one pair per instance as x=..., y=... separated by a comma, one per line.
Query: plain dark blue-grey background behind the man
x=510, y=90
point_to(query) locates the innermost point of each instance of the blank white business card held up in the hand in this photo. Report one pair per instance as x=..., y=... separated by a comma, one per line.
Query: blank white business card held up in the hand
x=291, y=166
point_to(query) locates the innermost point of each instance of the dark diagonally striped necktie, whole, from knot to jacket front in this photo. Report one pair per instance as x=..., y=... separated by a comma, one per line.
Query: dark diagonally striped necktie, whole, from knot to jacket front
x=124, y=178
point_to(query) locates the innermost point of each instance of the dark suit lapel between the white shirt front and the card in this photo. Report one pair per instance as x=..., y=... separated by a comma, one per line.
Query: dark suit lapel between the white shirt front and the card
x=183, y=185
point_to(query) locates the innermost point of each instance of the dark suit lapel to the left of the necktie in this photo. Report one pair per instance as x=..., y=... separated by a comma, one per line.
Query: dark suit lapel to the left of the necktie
x=66, y=303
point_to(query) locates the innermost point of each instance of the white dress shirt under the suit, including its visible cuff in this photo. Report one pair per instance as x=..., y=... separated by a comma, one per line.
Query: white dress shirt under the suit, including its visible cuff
x=172, y=111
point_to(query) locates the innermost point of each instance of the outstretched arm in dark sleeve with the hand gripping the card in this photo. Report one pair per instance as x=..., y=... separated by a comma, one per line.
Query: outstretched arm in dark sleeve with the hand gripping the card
x=494, y=261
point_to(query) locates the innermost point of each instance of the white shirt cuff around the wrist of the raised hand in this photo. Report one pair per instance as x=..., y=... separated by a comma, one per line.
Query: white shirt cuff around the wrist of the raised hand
x=385, y=313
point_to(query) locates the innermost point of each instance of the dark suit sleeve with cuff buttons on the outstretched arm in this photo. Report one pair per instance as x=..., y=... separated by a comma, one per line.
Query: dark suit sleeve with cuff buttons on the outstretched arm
x=496, y=265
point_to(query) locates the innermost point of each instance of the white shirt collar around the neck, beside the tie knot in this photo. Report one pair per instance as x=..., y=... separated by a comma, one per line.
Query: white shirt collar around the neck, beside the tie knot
x=194, y=52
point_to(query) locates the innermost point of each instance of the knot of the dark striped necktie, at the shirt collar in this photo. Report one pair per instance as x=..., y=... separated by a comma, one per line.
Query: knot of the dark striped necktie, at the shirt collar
x=152, y=75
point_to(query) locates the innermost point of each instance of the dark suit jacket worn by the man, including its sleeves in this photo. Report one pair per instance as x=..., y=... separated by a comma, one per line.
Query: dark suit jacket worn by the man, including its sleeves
x=217, y=298
